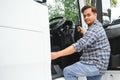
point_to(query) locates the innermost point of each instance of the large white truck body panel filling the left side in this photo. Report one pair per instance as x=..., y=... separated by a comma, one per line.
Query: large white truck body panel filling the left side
x=24, y=41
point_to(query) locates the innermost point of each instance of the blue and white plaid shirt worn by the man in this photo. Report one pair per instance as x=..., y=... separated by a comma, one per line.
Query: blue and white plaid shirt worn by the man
x=95, y=46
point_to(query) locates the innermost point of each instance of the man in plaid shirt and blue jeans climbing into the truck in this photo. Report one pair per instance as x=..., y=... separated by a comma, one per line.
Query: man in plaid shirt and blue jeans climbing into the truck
x=96, y=50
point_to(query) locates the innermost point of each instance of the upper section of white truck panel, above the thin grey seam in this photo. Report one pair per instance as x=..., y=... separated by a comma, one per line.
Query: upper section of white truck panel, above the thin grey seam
x=25, y=14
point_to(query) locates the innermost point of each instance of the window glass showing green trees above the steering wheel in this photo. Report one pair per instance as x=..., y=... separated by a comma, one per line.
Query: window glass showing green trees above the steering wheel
x=64, y=8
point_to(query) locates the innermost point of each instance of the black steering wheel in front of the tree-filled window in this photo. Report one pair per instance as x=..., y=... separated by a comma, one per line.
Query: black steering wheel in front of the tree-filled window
x=56, y=23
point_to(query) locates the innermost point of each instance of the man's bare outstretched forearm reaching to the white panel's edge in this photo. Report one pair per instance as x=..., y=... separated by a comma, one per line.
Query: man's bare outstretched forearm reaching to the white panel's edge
x=67, y=51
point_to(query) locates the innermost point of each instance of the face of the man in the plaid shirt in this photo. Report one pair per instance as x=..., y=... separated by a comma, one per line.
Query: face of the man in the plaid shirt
x=89, y=16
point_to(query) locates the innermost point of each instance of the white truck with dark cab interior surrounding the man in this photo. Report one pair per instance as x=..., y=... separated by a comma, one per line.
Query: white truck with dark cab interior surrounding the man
x=27, y=38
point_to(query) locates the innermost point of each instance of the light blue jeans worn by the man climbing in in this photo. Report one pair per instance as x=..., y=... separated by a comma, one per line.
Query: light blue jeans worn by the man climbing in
x=72, y=72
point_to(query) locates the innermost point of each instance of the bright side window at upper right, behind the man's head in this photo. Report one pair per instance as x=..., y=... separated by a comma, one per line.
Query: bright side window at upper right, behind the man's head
x=110, y=12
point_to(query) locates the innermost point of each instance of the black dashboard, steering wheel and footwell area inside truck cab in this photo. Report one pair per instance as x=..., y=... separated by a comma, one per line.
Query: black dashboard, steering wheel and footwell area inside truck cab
x=61, y=36
